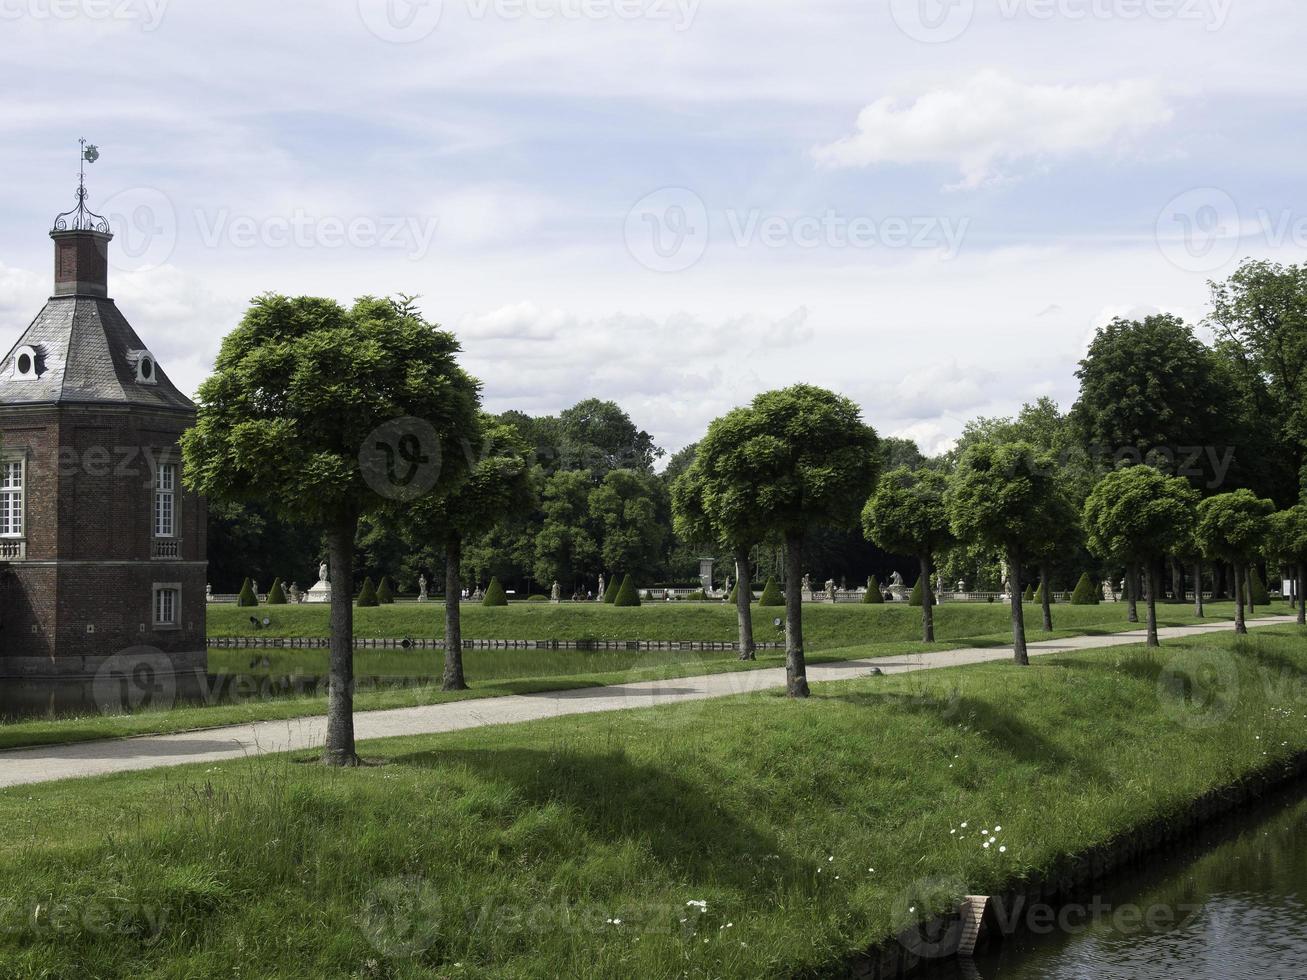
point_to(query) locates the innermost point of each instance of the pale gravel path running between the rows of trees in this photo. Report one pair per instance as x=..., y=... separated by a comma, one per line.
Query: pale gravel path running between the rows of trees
x=46, y=764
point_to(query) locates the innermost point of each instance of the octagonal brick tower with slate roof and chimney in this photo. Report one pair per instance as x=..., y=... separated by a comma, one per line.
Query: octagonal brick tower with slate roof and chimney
x=103, y=552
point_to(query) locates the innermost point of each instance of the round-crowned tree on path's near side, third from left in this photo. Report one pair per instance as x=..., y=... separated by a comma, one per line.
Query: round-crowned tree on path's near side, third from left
x=1004, y=497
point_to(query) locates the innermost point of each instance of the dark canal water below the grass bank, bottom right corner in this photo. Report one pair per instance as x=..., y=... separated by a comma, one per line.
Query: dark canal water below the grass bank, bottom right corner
x=1229, y=906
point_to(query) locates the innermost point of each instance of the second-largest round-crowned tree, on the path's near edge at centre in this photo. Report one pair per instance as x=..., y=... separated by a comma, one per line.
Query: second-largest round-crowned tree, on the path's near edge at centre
x=803, y=459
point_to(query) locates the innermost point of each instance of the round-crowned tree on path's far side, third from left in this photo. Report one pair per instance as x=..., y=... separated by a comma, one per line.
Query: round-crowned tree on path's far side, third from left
x=906, y=517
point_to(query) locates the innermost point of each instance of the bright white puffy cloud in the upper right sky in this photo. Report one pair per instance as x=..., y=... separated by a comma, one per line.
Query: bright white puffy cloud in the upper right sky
x=993, y=122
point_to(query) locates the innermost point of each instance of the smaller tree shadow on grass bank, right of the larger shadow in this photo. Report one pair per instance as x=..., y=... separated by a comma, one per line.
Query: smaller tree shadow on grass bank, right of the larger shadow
x=997, y=726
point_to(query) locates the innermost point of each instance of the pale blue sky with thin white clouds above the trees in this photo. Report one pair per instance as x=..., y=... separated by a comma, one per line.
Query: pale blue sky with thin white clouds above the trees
x=926, y=204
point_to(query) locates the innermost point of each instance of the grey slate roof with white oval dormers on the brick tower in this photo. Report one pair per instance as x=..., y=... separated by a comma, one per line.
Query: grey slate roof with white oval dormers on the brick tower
x=87, y=350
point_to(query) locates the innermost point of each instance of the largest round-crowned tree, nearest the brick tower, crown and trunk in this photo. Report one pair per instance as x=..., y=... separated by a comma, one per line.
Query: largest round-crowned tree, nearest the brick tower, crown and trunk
x=326, y=415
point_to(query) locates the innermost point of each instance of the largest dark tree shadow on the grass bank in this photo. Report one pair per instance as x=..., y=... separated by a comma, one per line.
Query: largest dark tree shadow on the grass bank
x=621, y=800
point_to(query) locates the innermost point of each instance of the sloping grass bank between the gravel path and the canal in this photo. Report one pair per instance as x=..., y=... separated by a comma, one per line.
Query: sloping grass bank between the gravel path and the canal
x=750, y=837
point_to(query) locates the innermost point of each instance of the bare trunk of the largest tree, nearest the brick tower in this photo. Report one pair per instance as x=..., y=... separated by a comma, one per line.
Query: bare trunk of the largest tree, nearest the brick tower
x=340, y=689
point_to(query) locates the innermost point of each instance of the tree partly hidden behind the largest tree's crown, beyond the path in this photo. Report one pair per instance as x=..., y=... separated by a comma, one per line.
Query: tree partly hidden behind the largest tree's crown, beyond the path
x=496, y=488
